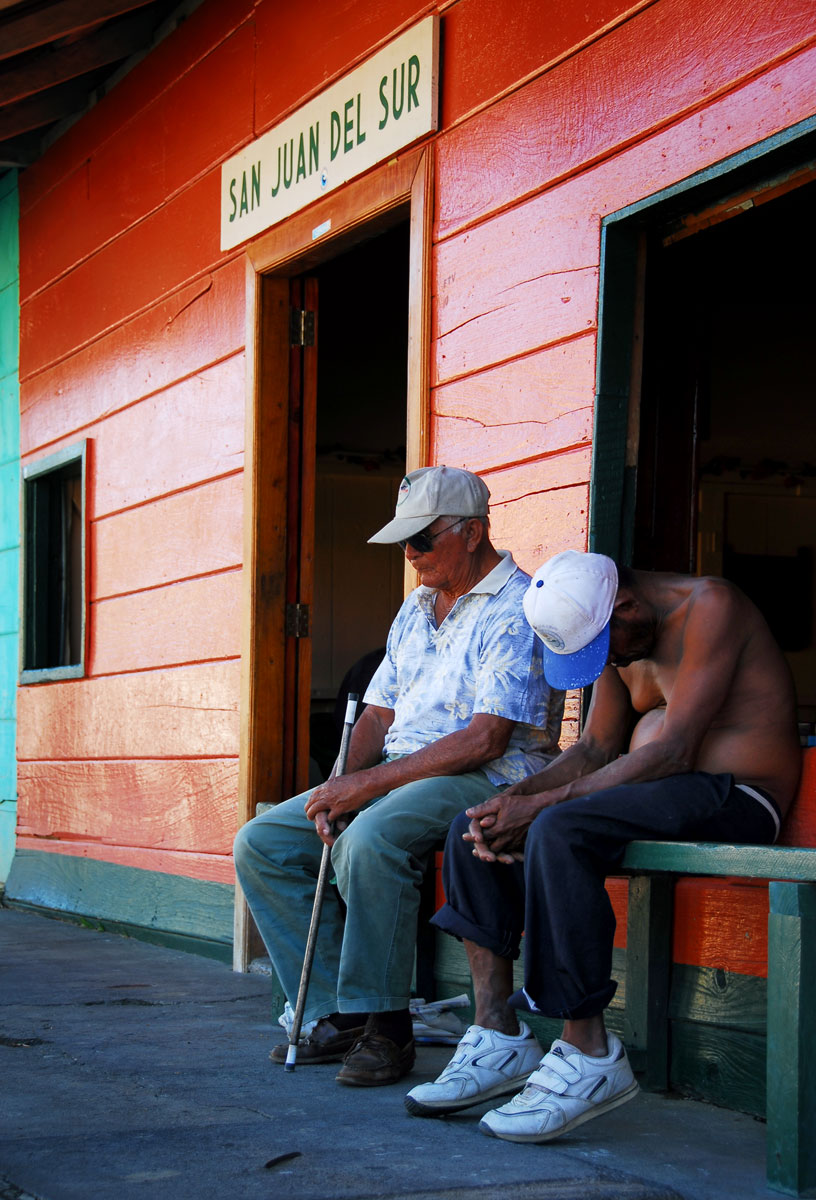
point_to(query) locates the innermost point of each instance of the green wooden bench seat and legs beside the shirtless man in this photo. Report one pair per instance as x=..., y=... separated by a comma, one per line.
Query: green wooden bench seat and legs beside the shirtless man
x=652, y=868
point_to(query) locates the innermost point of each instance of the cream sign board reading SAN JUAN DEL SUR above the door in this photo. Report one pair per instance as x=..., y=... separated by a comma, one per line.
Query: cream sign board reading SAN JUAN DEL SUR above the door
x=385, y=105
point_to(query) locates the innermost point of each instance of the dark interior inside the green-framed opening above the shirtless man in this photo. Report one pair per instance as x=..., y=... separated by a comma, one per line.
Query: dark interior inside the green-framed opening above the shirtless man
x=727, y=461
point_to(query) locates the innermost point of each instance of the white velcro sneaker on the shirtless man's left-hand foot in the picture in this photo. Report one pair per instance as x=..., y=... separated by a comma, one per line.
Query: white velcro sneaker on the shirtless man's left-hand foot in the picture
x=487, y=1064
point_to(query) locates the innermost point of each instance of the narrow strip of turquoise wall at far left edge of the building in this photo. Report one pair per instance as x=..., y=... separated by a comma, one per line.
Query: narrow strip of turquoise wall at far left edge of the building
x=10, y=521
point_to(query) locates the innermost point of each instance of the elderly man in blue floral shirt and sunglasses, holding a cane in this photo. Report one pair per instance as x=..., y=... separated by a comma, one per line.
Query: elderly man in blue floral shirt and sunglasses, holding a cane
x=458, y=709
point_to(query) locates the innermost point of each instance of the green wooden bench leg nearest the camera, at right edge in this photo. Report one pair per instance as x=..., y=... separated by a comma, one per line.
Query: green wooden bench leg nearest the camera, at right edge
x=791, y=1063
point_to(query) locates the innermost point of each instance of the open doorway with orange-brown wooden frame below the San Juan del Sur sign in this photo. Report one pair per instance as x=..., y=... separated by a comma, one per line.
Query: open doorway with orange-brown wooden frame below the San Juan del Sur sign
x=369, y=249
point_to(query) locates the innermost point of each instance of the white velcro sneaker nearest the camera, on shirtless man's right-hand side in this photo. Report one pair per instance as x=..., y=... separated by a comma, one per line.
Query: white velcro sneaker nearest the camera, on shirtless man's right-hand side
x=568, y=1089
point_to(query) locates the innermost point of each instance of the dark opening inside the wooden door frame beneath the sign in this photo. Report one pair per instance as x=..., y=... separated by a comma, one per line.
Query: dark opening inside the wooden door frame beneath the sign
x=359, y=461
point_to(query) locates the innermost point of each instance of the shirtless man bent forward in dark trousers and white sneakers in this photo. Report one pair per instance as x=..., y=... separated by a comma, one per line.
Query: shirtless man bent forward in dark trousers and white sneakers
x=691, y=736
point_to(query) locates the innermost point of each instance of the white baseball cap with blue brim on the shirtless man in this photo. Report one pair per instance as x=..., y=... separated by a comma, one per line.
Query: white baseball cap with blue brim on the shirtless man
x=569, y=605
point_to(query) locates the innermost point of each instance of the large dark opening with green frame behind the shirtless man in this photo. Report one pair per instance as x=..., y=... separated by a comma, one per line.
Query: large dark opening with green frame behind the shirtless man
x=705, y=459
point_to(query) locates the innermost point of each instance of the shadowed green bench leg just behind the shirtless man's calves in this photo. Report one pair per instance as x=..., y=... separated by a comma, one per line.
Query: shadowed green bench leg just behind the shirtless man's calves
x=649, y=969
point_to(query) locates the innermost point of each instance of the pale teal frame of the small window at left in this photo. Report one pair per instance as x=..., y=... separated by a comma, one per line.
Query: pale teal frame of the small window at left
x=33, y=472
